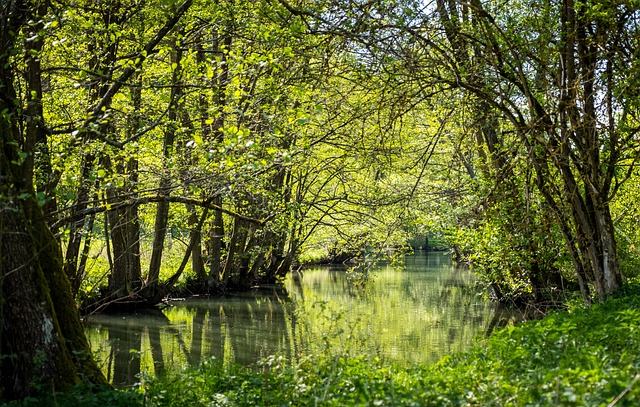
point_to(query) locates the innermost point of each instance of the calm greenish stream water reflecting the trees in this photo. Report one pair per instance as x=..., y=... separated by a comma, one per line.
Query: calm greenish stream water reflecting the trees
x=411, y=315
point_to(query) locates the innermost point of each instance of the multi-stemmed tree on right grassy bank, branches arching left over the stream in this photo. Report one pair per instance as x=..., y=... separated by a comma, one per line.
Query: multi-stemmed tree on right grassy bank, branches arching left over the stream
x=558, y=76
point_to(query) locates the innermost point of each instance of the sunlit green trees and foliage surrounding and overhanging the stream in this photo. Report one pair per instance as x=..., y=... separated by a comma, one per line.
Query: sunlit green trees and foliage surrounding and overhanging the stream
x=256, y=135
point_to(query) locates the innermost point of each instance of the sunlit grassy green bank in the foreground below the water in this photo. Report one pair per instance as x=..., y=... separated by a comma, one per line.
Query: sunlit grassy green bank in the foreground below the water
x=585, y=356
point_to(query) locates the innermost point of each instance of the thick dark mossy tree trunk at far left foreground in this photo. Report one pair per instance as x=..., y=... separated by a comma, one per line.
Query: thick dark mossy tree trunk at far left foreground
x=42, y=341
